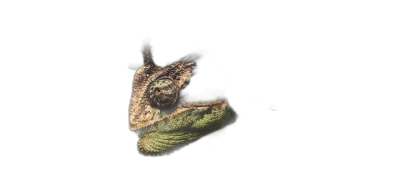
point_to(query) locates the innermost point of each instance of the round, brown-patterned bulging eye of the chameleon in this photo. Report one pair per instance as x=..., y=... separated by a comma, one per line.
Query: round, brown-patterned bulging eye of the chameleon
x=163, y=94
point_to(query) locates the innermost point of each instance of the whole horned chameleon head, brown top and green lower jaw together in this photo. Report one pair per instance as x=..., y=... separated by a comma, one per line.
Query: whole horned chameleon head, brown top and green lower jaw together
x=166, y=119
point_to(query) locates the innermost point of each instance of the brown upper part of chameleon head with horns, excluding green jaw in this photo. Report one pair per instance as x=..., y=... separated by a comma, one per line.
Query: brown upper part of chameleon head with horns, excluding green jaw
x=157, y=90
